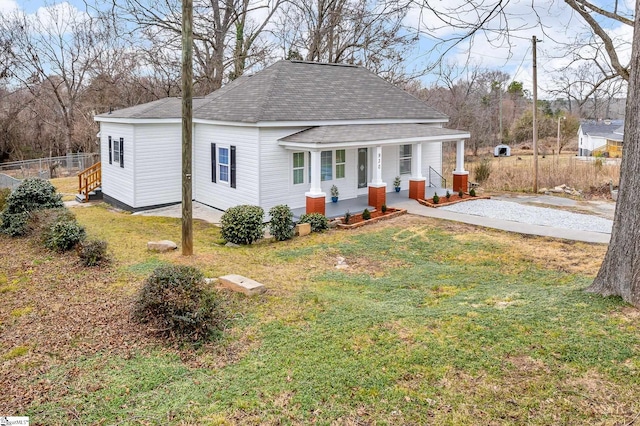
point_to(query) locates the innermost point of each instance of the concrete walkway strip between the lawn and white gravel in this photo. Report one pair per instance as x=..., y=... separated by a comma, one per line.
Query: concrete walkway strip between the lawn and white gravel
x=505, y=225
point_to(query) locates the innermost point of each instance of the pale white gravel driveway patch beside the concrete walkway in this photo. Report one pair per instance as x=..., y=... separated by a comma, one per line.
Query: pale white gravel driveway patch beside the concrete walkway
x=515, y=212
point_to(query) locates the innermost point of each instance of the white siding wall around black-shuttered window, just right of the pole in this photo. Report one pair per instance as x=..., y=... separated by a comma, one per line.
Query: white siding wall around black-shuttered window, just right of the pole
x=220, y=195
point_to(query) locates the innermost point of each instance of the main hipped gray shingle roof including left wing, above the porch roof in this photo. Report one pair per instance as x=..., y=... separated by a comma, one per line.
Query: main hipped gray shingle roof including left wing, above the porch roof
x=297, y=91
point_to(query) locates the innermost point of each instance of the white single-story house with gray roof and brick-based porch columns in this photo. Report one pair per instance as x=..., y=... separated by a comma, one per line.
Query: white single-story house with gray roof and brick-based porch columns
x=284, y=135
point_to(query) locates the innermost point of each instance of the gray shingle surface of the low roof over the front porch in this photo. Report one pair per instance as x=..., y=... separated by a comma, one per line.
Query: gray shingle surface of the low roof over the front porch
x=372, y=132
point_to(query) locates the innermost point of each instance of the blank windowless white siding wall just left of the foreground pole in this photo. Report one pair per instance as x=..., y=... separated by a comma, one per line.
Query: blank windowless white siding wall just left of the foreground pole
x=158, y=167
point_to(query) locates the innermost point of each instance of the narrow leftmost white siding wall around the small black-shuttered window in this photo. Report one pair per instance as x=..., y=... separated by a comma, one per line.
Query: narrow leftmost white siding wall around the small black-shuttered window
x=118, y=182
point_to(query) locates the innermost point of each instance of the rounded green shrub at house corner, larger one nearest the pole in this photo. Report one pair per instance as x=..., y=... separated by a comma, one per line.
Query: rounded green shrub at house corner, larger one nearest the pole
x=243, y=224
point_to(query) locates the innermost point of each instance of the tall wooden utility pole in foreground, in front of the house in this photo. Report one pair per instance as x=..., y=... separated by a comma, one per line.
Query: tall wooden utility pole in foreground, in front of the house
x=187, y=126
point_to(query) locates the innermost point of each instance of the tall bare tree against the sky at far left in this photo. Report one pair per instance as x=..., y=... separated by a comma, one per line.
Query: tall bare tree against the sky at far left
x=53, y=52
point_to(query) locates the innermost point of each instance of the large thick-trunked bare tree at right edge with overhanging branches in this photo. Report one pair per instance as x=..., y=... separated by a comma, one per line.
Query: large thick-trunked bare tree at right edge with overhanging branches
x=620, y=271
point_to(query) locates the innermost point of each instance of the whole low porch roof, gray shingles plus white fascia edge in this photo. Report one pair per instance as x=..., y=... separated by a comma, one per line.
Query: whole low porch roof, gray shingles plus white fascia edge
x=370, y=135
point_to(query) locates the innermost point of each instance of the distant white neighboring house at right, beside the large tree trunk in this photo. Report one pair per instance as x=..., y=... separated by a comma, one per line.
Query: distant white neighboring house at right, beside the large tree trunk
x=602, y=137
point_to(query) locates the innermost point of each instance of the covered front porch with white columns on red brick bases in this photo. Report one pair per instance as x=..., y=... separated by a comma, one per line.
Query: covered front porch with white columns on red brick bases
x=375, y=177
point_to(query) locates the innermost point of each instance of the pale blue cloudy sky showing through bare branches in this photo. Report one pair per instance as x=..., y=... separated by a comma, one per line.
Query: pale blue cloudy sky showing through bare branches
x=486, y=50
